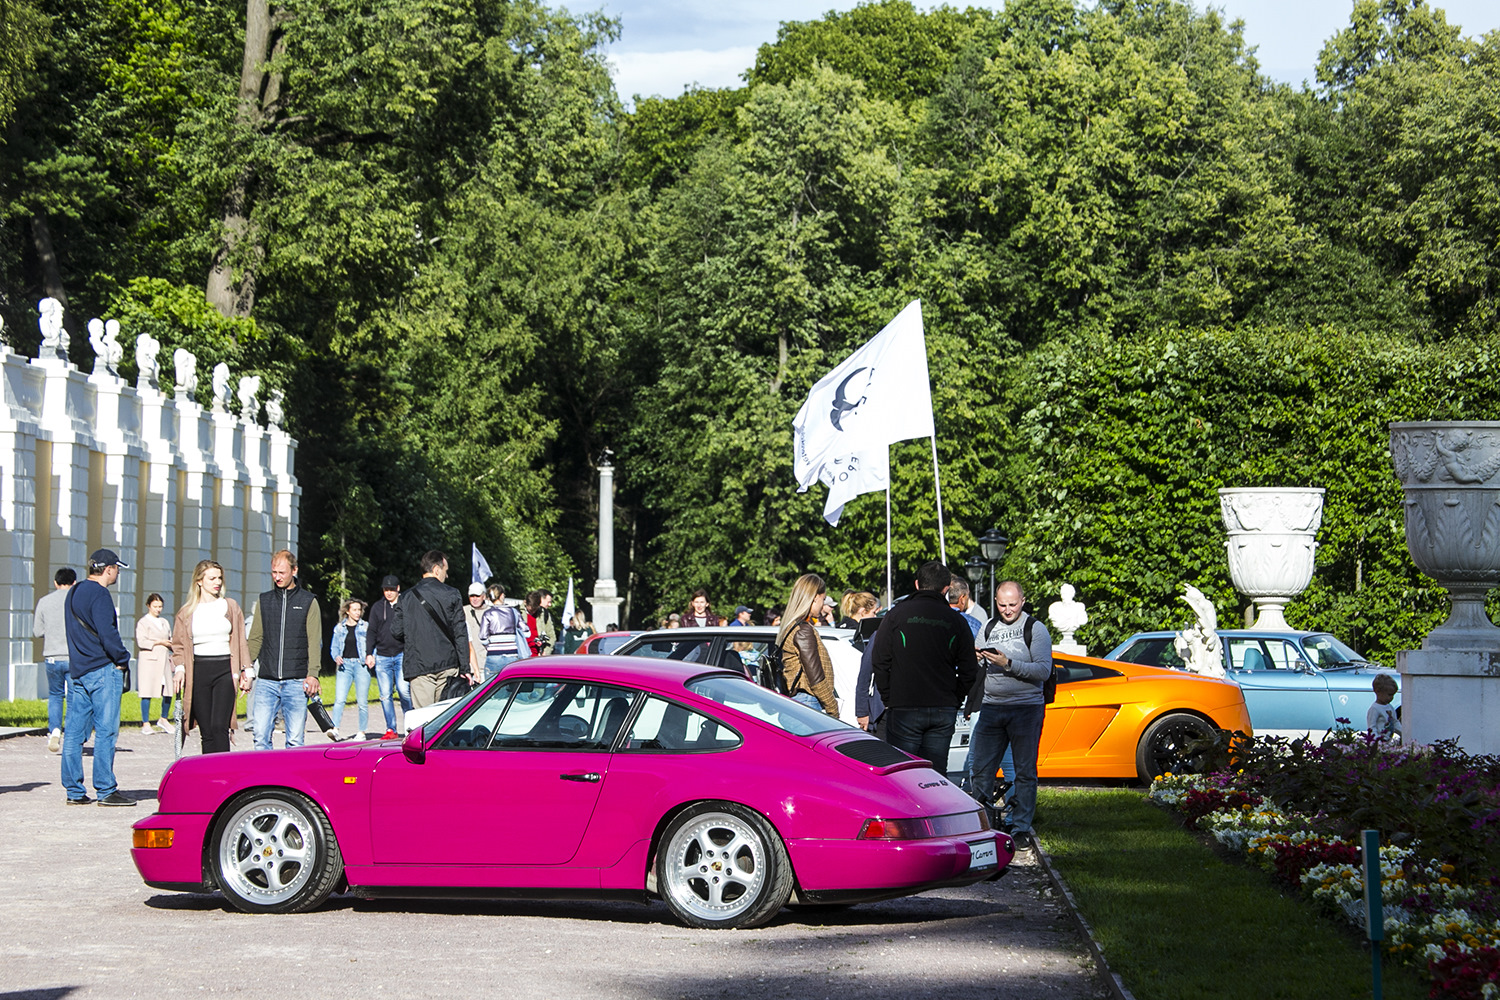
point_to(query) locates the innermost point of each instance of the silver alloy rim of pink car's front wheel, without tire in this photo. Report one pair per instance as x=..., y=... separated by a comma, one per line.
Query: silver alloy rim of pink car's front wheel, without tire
x=268, y=851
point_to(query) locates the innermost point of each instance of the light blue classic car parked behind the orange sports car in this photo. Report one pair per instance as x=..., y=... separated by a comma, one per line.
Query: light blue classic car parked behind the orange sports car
x=1295, y=683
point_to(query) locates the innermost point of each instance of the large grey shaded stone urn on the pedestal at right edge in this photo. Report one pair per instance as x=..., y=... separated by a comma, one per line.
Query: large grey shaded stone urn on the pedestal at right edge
x=1450, y=475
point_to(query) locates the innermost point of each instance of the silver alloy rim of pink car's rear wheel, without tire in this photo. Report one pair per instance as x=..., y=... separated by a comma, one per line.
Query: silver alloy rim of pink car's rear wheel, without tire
x=716, y=867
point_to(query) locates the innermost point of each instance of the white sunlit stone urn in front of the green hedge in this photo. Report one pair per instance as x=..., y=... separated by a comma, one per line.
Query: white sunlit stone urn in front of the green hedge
x=1271, y=545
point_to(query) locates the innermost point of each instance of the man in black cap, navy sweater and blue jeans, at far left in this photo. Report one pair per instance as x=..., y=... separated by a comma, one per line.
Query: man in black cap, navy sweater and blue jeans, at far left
x=97, y=663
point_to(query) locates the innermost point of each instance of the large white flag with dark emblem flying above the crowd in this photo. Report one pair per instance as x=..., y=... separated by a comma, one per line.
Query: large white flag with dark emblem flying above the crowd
x=877, y=397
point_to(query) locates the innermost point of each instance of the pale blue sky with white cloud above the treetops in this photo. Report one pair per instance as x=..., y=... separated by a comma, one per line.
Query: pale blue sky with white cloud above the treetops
x=673, y=44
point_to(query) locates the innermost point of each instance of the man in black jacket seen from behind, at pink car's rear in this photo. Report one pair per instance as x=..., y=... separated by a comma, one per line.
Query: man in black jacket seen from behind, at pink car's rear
x=925, y=666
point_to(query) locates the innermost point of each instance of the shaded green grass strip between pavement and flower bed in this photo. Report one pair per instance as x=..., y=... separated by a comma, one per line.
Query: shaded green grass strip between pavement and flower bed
x=1178, y=923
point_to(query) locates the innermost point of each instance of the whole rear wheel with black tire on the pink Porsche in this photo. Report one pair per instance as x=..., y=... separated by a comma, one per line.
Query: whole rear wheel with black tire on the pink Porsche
x=722, y=866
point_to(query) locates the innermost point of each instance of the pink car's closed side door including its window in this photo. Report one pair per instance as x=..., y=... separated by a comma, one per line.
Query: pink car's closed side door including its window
x=514, y=783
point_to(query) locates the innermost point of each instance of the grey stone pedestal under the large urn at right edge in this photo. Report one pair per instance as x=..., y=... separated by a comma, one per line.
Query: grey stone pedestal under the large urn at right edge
x=1451, y=695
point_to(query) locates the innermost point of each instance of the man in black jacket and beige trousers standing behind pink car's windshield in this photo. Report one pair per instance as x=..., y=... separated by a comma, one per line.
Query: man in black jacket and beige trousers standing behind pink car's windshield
x=430, y=620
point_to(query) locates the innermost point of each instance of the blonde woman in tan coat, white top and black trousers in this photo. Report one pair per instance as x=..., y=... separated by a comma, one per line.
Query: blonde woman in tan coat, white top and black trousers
x=211, y=654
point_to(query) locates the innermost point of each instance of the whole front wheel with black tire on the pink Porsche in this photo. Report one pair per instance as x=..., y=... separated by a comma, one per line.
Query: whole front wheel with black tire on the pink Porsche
x=275, y=852
